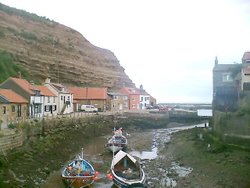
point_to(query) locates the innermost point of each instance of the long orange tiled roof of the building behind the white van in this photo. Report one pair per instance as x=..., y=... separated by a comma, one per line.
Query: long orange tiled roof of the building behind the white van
x=81, y=93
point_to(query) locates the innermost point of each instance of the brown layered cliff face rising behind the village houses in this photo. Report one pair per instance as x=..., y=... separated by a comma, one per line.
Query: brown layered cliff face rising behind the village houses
x=48, y=49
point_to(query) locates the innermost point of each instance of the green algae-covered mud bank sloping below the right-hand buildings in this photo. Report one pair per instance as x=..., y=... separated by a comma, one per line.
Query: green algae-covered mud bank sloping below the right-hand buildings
x=218, y=166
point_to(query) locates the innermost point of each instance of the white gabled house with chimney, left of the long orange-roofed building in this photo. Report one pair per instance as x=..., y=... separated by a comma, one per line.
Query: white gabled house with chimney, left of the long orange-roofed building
x=64, y=100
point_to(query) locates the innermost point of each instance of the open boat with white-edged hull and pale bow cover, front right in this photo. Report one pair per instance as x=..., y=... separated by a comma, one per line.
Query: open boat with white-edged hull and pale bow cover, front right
x=126, y=171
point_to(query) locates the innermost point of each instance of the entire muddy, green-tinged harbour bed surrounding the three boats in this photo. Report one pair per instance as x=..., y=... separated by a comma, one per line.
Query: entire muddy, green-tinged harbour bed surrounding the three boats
x=170, y=157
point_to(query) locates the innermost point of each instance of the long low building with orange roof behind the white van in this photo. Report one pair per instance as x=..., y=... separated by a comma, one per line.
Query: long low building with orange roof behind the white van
x=89, y=96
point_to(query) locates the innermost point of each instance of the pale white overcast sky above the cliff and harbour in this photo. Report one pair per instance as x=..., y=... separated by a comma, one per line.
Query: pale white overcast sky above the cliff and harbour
x=168, y=46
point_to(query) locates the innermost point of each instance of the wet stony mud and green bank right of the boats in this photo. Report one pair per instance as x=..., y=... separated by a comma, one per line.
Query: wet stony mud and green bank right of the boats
x=181, y=157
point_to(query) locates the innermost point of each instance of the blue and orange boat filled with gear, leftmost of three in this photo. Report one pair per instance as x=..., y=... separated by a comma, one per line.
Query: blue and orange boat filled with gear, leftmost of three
x=79, y=173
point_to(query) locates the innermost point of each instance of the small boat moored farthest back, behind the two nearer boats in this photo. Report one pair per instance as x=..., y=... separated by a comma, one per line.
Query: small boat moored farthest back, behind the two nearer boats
x=117, y=142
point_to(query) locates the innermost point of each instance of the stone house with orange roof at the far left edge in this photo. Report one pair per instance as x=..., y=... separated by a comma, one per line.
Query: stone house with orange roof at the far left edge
x=13, y=108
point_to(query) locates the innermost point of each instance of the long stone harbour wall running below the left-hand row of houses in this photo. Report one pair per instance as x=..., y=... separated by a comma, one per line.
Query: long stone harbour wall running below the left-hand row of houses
x=89, y=125
